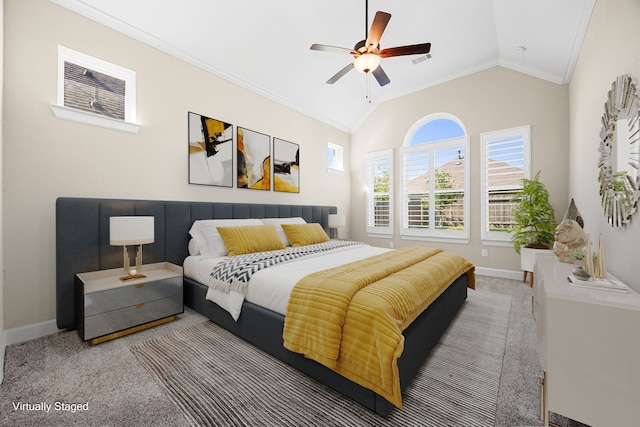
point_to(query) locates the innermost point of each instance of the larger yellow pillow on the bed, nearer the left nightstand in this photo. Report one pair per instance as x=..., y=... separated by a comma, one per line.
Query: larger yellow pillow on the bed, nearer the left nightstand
x=247, y=239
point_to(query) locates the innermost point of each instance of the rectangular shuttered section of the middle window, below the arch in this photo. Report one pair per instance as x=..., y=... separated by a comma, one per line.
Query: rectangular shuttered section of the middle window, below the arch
x=434, y=183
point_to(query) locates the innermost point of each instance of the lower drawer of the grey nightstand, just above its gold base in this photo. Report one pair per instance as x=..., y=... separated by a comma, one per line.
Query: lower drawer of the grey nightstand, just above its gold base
x=128, y=317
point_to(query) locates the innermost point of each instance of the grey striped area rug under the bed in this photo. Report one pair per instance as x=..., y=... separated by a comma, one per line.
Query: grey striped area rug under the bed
x=217, y=379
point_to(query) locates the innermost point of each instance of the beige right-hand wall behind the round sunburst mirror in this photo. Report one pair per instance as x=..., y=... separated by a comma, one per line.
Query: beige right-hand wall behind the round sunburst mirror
x=611, y=47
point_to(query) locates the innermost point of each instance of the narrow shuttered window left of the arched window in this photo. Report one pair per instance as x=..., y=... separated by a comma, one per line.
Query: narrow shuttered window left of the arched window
x=379, y=193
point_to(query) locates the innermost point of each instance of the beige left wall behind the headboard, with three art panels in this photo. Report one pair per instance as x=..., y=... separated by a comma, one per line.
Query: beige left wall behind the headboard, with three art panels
x=45, y=157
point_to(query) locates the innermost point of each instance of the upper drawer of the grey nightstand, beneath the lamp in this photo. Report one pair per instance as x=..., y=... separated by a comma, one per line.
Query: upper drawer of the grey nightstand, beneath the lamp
x=121, y=297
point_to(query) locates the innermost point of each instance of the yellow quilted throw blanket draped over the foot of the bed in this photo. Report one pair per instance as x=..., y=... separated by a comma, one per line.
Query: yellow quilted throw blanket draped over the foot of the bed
x=351, y=318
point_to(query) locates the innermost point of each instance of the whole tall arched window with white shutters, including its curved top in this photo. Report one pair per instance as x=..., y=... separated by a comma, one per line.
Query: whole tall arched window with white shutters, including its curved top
x=435, y=180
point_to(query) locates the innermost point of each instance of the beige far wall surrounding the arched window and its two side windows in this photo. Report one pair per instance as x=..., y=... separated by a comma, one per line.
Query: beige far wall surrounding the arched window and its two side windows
x=489, y=100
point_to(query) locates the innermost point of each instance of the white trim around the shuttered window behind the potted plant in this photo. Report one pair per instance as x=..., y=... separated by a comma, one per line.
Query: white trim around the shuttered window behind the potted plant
x=492, y=238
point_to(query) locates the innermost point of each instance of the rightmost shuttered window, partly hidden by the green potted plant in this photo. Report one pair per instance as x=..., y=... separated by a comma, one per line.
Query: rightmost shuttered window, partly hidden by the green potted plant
x=505, y=161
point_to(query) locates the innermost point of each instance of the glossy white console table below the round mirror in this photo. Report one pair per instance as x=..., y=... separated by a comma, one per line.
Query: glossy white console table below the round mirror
x=588, y=342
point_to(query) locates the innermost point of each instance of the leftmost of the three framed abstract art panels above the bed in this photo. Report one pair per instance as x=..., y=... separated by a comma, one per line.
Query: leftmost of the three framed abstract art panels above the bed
x=210, y=151
